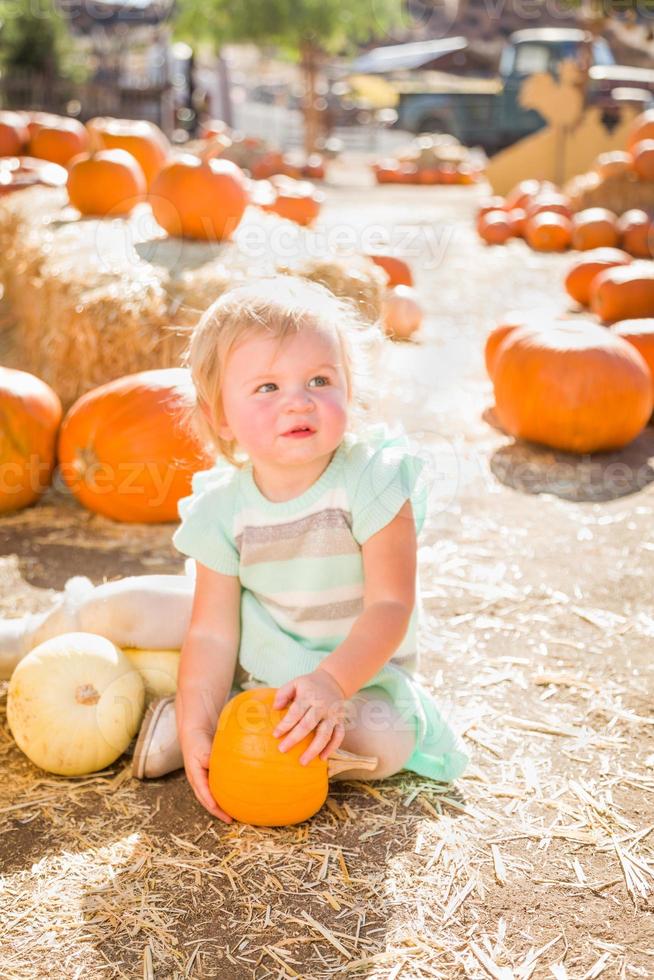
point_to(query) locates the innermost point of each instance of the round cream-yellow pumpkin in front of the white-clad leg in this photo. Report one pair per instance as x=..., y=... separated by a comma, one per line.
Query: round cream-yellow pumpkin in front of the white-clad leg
x=74, y=704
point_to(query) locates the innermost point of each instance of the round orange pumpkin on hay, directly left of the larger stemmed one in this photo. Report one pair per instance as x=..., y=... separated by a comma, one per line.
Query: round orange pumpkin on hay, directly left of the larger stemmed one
x=106, y=182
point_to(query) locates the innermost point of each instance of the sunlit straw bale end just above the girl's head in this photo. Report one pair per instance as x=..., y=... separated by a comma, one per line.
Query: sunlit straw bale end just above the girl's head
x=356, y=278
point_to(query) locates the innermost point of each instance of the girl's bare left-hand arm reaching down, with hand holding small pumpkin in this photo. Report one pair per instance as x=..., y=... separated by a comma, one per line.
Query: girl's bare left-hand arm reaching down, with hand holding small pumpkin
x=206, y=670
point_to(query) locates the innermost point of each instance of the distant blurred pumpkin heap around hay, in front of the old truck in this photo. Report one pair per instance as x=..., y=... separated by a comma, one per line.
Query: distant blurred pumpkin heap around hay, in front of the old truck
x=431, y=160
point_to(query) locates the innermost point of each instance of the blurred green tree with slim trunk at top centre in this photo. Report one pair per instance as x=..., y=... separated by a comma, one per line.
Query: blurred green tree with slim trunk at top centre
x=308, y=29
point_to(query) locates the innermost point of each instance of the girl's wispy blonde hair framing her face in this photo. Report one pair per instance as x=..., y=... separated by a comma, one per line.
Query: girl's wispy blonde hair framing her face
x=280, y=306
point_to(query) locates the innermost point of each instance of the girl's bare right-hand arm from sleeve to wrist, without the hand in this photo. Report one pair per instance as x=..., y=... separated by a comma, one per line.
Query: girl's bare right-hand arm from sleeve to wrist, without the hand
x=389, y=569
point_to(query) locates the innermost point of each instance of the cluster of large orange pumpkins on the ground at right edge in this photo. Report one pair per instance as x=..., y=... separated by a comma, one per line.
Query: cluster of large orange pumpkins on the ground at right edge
x=576, y=385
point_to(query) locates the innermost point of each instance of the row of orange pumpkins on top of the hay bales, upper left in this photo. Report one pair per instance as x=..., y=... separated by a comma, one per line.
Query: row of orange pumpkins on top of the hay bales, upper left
x=111, y=165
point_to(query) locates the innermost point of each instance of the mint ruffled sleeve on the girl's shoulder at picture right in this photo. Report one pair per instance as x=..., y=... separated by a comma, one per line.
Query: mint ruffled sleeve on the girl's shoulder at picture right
x=382, y=472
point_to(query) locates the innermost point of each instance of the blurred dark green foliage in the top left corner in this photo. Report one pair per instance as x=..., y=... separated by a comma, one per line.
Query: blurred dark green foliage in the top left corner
x=34, y=37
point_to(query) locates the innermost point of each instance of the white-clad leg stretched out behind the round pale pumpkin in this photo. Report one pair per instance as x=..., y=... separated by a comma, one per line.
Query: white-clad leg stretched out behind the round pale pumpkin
x=146, y=611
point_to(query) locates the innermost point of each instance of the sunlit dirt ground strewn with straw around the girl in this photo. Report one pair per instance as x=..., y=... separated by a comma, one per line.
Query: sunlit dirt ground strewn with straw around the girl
x=537, y=641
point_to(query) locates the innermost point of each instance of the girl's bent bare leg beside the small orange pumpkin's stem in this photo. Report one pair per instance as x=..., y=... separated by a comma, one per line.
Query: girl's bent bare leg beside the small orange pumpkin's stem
x=374, y=727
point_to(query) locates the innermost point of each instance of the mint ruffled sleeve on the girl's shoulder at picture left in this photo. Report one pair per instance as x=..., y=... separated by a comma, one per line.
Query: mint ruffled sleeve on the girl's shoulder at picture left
x=205, y=532
